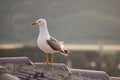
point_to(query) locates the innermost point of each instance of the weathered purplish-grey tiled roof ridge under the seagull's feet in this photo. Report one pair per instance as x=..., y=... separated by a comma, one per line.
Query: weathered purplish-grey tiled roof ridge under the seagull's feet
x=28, y=70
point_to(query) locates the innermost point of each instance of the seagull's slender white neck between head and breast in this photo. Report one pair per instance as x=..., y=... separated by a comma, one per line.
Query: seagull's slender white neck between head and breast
x=43, y=31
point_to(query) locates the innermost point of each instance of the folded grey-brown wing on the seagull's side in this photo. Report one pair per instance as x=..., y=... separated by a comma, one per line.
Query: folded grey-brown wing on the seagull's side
x=54, y=44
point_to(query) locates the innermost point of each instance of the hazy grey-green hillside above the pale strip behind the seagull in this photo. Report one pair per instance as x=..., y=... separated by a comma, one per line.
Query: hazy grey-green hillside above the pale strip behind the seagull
x=72, y=21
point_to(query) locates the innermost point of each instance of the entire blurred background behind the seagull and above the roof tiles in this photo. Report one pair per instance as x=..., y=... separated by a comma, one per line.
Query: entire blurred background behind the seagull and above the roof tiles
x=89, y=28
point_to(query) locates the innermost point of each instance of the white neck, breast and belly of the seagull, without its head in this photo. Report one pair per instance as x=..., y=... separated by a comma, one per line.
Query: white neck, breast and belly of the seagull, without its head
x=43, y=36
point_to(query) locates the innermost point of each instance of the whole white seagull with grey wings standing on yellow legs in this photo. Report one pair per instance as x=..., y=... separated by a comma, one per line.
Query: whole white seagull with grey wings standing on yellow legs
x=48, y=44
